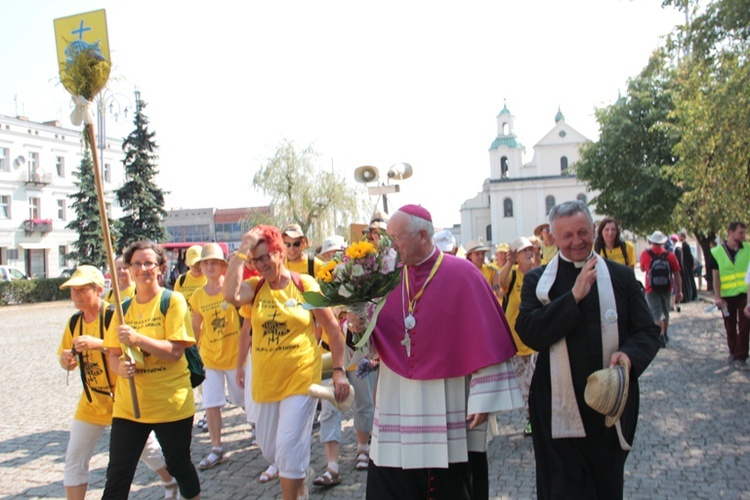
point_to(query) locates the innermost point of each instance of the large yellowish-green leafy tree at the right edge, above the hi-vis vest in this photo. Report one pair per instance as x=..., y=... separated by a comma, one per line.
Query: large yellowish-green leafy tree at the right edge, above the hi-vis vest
x=712, y=110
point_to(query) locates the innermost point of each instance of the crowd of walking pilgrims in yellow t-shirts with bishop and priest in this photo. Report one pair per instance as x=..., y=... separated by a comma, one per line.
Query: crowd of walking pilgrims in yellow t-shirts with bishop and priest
x=461, y=338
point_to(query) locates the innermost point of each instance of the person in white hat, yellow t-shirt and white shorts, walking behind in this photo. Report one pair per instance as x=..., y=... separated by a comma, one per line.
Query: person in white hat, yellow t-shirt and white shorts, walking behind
x=217, y=327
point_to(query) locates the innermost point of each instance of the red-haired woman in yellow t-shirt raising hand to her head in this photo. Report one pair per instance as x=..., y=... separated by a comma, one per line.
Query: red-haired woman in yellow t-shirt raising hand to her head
x=285, y=355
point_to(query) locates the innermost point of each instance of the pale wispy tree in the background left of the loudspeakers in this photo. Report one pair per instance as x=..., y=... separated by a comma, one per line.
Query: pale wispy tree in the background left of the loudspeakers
x=301, y=192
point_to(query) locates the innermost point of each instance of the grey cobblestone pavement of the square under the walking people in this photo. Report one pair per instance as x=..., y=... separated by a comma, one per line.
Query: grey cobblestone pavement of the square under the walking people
x=693, y=439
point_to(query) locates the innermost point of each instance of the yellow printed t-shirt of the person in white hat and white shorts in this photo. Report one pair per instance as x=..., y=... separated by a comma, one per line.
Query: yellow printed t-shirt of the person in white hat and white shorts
x=220, y=333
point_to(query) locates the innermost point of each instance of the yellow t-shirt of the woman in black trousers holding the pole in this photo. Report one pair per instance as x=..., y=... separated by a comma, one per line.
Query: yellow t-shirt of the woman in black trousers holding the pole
x=163, y=386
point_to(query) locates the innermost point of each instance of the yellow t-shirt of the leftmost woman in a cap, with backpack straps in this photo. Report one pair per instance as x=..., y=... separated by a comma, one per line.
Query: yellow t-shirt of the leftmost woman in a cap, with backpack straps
x=99, y=410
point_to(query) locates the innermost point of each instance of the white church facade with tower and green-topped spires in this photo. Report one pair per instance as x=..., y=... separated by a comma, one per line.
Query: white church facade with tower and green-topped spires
x=518, y=196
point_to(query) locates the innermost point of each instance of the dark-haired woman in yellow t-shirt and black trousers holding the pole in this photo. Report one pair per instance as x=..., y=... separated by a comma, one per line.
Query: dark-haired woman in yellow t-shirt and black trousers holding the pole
x=160, y=374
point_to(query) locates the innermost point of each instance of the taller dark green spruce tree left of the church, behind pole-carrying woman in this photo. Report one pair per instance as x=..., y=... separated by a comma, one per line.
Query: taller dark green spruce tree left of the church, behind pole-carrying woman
x=140, y=198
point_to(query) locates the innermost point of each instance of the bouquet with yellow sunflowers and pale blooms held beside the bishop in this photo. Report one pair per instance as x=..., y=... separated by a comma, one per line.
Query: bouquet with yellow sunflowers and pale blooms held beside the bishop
x=363, y=275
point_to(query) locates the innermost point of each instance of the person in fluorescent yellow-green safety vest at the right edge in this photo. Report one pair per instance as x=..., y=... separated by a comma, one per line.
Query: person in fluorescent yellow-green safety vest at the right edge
x=729, y=265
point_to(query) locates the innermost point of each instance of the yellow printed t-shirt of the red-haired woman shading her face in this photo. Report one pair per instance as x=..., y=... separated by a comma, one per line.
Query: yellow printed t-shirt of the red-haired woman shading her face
x=286, y=357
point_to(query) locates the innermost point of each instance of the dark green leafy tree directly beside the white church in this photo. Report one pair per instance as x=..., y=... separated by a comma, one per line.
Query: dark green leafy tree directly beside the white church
x=627, y=164
